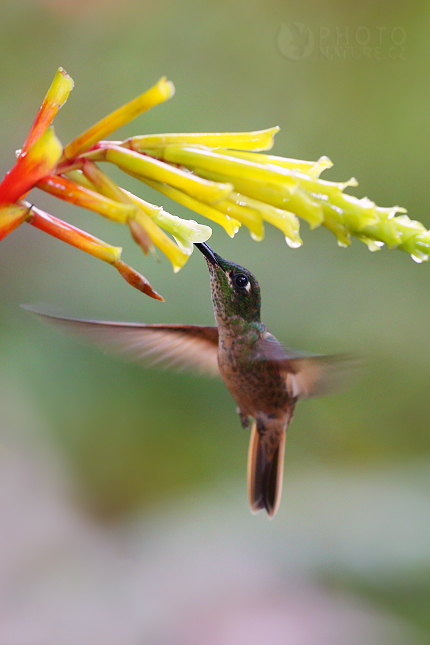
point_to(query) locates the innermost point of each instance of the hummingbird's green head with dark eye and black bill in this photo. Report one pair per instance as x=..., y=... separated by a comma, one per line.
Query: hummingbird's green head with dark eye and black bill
x=235, y=291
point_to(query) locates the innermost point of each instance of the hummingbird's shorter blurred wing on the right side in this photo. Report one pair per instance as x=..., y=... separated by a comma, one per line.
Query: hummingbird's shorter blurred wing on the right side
x=308, y=375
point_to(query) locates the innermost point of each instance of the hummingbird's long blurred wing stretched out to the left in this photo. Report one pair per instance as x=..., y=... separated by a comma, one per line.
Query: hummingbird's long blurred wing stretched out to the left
x=175, y=346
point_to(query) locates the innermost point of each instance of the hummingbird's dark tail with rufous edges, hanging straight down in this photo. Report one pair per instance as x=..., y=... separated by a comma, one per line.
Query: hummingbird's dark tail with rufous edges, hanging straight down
x=265, y=471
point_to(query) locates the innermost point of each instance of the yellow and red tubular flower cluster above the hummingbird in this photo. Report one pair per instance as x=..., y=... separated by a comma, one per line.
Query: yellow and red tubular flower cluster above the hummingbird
x=225, y=177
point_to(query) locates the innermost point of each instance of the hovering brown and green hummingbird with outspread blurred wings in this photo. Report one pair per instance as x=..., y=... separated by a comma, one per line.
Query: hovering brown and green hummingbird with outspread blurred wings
x=265, y=378
